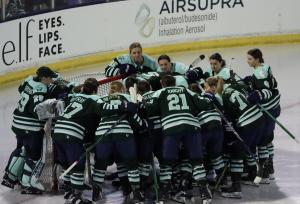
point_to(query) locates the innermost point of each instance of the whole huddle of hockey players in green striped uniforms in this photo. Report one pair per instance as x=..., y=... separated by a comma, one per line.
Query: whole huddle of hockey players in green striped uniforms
x=208, y=130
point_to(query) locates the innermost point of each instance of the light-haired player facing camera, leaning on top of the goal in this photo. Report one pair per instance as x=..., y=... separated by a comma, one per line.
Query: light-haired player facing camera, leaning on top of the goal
x=132, y=63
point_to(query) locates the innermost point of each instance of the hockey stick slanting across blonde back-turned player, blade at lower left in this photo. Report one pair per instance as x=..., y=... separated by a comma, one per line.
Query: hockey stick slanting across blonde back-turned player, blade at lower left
x=92, y=146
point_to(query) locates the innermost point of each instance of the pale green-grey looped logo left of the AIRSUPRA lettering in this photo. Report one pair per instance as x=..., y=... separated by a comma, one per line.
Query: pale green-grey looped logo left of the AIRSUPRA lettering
x=144, y=21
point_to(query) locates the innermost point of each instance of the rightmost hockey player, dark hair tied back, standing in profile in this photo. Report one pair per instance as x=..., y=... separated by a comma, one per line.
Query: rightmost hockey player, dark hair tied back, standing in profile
x=265, y=92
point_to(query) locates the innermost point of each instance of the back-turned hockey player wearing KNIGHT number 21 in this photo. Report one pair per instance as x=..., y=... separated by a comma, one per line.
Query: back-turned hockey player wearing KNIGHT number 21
x=177, y=106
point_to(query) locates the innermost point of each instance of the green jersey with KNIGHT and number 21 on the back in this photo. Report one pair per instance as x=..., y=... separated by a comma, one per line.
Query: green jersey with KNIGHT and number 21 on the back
x=177, y=107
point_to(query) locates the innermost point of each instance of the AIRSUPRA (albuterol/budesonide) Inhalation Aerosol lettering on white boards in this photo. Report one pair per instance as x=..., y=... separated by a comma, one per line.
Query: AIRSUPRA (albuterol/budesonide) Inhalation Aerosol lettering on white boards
x=191, y=17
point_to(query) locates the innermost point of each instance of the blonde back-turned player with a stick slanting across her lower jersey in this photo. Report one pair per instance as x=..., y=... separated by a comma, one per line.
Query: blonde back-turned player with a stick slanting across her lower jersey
x=120, y=142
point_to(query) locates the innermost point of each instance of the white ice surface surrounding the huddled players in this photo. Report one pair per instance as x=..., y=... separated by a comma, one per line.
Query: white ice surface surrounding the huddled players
x=284, y=60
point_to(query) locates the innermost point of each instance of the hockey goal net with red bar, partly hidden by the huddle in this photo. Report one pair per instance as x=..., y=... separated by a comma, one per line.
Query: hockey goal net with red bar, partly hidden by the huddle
x=52, y=171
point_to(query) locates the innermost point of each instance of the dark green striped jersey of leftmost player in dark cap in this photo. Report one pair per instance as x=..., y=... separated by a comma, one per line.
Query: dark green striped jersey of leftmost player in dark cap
x=25, y=119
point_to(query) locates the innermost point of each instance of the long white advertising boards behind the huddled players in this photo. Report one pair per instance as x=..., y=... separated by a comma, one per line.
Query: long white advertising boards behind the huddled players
x=81, y=31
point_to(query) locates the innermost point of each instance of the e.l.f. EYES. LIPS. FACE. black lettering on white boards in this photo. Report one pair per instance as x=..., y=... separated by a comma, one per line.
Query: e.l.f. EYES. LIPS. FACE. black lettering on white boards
x=33, y=38
